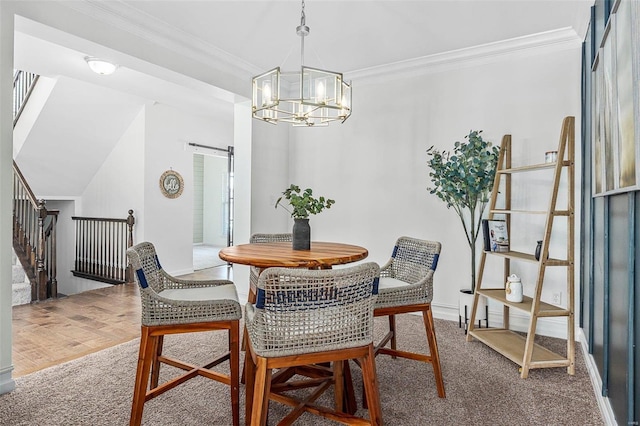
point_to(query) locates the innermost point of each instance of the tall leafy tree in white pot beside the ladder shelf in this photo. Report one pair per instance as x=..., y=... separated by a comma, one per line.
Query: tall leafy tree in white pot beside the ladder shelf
x=463, y=179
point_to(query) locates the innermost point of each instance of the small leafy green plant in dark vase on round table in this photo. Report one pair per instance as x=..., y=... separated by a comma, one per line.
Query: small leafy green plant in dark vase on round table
x=302, y=205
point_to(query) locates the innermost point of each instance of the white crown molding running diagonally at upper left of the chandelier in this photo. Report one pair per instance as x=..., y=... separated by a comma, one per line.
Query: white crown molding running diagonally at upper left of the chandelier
x=126, y=18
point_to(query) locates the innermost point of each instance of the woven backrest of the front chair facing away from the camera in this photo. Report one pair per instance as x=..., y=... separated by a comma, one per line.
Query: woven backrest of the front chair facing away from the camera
x=301, y=311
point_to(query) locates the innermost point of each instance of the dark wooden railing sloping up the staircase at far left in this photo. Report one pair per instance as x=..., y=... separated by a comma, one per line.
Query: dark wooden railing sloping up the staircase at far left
x=34, y=238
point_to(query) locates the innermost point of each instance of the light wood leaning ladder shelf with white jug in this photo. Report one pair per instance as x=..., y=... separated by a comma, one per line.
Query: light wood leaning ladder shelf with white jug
x=520, y=348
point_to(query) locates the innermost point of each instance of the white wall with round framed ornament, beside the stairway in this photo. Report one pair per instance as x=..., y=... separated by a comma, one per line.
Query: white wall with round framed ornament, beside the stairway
x=129, y=179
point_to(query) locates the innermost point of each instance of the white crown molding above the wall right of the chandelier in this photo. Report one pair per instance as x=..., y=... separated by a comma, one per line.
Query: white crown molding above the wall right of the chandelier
x=555, y=40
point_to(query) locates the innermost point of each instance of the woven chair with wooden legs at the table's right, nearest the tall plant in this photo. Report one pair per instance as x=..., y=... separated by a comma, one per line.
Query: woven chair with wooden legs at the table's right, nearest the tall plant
x=406, y=285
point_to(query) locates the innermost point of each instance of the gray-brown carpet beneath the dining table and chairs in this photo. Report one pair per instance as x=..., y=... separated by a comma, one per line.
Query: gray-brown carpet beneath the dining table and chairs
x=483, y=388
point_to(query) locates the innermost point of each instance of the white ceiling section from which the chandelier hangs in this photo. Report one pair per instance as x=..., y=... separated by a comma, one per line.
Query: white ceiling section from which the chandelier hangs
x=354, y=35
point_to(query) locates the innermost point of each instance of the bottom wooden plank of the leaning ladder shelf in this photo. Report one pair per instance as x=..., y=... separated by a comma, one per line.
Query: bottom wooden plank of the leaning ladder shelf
x=511, y=345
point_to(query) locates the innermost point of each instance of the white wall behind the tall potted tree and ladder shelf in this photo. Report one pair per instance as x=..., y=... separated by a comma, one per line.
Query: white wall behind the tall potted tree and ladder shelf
x=374, y=165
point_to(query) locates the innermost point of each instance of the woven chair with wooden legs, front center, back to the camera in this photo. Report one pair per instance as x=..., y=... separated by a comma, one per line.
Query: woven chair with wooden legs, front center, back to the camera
x=307, y=319
